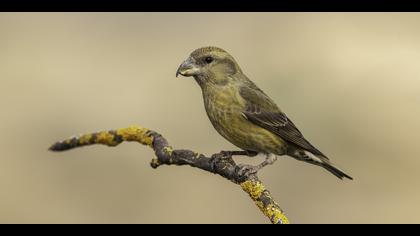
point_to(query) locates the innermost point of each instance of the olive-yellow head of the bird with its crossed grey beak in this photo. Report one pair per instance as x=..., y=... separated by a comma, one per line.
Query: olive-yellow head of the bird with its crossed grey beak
x=209, y=65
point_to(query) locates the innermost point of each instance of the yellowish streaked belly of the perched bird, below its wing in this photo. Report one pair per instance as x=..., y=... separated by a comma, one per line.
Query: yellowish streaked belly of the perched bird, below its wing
x=242, y=133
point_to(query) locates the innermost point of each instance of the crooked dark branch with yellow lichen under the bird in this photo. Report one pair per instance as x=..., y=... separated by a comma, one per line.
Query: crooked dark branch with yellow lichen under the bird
x=219, y=163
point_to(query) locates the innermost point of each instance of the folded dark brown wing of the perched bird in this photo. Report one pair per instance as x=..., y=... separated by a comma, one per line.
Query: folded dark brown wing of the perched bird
x=262, y=111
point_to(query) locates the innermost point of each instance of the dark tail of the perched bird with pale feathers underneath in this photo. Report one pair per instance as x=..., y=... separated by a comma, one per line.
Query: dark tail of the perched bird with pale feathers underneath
x=318, y=160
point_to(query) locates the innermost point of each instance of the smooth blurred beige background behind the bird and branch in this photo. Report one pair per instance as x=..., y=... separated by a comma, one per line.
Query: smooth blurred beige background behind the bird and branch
x=349, y=81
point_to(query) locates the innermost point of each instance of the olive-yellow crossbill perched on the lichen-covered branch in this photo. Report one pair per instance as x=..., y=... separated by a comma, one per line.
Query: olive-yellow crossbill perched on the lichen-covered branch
x=244, y=115
